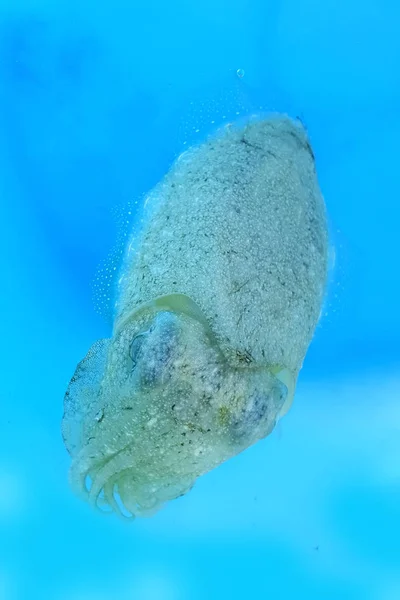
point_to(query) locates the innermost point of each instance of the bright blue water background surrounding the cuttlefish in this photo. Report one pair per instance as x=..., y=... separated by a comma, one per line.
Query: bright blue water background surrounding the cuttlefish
x=94, y=97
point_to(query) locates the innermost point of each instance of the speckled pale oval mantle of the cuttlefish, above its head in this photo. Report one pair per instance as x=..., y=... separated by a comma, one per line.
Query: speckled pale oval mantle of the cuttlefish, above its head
x=239, y=226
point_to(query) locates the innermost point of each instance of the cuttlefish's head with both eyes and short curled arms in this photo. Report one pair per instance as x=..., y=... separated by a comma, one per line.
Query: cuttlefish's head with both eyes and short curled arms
x=158, y=405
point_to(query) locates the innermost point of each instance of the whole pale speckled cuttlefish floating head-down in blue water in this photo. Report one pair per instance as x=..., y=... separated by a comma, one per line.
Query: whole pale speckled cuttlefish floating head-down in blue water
x=216, y=309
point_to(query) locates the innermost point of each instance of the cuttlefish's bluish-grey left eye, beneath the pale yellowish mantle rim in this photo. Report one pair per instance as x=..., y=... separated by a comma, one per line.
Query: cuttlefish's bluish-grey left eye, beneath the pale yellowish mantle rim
x=151, y=350
